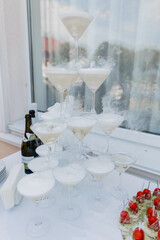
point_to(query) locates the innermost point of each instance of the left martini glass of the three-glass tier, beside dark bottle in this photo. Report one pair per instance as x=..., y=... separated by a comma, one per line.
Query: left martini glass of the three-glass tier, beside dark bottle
x=48, y=132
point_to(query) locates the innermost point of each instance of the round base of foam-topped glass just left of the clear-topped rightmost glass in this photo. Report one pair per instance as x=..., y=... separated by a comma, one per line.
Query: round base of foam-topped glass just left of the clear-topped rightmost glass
x=98, y=204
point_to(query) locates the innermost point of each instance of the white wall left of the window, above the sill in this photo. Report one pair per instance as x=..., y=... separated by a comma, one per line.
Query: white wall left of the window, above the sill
x=14, y=61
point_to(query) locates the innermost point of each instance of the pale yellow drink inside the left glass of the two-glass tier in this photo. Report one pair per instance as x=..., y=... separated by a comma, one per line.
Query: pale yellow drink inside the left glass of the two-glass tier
x=61, y=80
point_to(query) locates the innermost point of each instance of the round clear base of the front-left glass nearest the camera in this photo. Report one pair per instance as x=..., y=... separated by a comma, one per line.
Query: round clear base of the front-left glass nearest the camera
x=38, y=227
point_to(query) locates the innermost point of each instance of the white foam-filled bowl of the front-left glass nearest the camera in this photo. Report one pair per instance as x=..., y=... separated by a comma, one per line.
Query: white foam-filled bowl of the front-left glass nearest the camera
x=36, y=185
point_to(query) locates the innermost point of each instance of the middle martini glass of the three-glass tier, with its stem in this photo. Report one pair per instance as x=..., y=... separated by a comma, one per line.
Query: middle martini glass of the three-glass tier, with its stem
x=80, y=127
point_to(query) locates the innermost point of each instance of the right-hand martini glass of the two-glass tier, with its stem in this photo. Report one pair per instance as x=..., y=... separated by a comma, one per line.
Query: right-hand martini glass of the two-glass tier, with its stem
x=94, y=77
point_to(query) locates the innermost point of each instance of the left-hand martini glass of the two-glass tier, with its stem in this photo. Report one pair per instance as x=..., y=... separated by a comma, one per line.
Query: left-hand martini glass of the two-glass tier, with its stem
x=62, y=79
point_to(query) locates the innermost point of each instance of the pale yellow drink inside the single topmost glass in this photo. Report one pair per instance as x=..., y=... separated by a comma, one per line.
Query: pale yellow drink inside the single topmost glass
x=76, y=25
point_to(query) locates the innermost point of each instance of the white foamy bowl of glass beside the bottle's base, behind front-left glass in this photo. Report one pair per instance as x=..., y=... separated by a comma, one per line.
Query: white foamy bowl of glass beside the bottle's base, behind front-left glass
x=41, y=164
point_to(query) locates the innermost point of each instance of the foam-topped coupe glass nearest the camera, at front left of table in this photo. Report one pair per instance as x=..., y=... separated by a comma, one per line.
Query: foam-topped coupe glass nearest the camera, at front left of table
x=35, y=187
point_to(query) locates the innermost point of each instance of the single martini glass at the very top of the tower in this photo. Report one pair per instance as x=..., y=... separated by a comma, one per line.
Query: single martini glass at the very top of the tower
x=76, y=22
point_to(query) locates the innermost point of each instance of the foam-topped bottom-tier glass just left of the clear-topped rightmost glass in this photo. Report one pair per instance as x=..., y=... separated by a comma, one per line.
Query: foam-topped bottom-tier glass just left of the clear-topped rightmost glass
x=99, y=167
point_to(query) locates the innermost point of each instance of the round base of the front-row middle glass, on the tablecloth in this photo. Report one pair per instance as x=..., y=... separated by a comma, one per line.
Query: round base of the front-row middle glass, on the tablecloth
x=70, y=213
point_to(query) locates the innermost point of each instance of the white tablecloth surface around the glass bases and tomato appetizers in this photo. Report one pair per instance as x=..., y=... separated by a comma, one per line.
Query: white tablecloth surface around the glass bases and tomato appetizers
x=90, y=226
